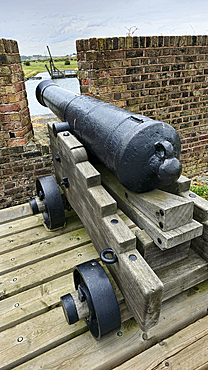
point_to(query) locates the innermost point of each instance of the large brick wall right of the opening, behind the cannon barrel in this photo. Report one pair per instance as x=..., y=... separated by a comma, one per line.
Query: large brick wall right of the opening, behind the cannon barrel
x=164, y=78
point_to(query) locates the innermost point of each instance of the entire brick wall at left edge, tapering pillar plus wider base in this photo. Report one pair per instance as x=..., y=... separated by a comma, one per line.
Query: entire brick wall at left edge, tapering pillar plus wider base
x=22, y=159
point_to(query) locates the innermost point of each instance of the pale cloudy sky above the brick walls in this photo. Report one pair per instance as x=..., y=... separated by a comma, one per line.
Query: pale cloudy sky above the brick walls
x=59, y=23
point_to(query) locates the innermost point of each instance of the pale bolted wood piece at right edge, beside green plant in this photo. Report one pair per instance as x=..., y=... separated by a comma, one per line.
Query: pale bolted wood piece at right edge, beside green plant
x=200, y=205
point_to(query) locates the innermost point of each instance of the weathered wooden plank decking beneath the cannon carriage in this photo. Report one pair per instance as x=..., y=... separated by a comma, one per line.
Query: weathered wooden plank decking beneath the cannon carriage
x=36, y=270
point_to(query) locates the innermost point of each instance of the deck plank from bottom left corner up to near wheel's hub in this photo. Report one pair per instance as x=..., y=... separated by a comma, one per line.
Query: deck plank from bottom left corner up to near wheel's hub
x=32, y=338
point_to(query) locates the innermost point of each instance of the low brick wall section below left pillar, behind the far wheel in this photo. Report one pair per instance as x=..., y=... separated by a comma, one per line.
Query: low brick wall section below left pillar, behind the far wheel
x=19, y=168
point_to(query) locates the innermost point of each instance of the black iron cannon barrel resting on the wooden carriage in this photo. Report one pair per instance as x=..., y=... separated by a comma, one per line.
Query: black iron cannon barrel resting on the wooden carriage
x=143, y=153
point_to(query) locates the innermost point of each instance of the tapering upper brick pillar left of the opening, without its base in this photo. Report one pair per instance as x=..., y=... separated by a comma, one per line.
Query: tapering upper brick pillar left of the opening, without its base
x=15, y=122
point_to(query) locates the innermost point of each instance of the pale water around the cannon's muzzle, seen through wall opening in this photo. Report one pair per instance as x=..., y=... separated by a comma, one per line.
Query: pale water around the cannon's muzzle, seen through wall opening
x=36, y=108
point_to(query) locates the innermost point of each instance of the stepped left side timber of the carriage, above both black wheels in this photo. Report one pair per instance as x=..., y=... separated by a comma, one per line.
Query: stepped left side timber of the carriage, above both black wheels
x=109, y=231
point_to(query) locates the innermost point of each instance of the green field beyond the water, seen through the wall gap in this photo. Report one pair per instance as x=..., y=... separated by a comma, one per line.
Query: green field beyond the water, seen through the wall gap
x=39, y=66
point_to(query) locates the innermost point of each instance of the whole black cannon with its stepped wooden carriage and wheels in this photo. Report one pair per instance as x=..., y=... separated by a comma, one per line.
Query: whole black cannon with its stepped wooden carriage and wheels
x=136, y=155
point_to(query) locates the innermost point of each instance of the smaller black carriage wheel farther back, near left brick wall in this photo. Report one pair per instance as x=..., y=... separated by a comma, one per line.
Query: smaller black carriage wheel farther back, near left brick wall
x=48, y=191
